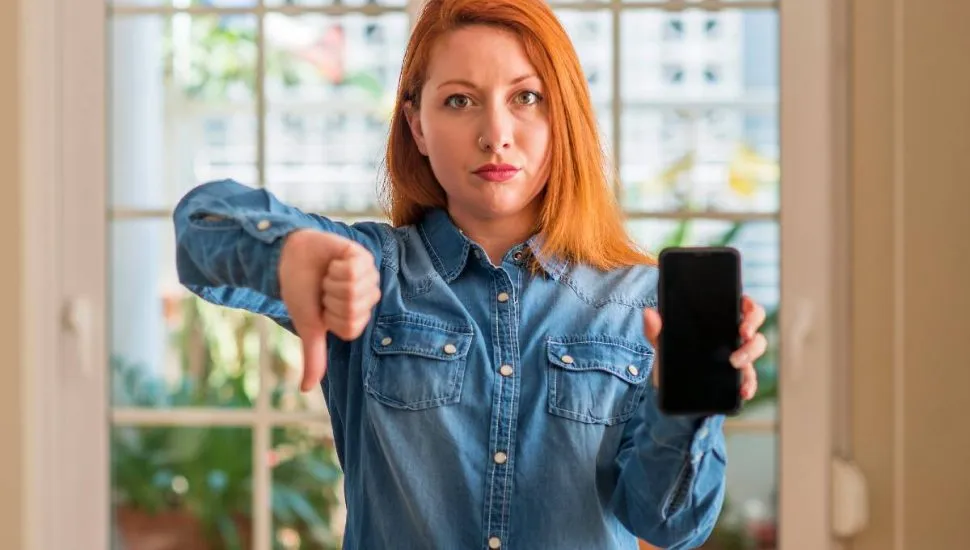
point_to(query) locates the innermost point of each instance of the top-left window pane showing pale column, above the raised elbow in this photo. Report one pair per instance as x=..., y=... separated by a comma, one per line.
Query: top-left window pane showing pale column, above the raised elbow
x=182, y=105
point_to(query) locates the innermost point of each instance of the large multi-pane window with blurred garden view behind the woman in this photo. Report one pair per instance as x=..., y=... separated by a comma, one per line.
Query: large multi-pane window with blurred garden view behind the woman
x=295, y=95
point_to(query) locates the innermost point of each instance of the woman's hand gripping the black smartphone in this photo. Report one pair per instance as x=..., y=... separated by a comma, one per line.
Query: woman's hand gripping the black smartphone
x=753, y=343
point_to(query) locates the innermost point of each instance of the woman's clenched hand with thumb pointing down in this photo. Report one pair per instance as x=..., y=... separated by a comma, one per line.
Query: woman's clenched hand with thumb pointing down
x=329, y=284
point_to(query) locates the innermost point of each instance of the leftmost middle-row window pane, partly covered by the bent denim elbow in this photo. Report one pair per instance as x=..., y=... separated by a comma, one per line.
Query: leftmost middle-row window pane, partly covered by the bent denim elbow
x=168, y=347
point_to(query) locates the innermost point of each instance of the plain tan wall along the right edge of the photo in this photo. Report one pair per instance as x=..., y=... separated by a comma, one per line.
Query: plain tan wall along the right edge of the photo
x=911, y=268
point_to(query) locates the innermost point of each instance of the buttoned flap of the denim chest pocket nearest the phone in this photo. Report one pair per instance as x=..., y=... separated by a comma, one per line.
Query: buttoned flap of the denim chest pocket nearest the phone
x=628, y=360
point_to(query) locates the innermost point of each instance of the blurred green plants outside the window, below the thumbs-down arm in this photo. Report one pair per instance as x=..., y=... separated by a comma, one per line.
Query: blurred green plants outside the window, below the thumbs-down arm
x=206, y=472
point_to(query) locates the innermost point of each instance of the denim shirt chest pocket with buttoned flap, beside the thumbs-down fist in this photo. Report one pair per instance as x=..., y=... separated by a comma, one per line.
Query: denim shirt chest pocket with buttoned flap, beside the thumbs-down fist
x=417, y=361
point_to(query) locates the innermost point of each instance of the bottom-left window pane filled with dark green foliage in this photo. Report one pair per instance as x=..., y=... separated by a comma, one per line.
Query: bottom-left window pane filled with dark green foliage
x=181, y=488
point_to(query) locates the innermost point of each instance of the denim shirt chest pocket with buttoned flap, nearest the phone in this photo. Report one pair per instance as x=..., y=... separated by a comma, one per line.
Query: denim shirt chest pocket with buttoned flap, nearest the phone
x=597, y=379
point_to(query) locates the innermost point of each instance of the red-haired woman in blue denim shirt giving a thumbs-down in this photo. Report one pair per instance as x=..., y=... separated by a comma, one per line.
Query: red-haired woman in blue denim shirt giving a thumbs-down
x=486, y=357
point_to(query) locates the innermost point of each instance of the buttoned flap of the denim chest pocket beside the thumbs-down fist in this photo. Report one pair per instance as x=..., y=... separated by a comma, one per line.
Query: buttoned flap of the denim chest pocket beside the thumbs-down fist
x=421, y=335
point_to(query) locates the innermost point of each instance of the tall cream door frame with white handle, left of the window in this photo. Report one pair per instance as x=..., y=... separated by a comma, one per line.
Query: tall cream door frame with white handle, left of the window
x=65, y=386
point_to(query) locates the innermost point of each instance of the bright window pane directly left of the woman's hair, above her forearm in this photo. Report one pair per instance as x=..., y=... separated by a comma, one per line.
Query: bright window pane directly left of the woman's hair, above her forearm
x=330, y=90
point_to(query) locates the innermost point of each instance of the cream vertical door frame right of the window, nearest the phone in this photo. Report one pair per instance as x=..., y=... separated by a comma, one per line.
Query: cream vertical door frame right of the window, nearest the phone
x=815, y=277
